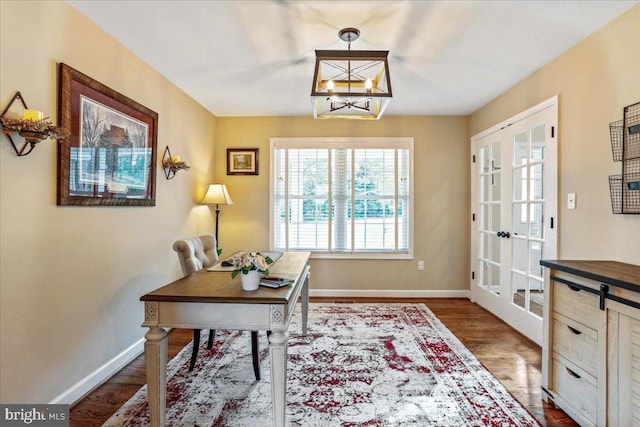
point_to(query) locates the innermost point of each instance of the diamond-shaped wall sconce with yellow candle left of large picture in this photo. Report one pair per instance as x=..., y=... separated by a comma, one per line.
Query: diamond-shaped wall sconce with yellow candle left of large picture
x=32, y=126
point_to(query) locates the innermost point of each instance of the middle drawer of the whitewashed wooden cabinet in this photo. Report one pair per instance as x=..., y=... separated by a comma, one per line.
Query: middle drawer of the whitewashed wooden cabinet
x=576, y=342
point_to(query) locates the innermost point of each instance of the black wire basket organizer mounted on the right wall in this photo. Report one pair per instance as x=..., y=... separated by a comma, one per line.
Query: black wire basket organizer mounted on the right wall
x=625, y=145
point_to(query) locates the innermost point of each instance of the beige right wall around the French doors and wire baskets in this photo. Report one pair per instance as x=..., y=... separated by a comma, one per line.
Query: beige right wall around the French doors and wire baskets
x=594, y=80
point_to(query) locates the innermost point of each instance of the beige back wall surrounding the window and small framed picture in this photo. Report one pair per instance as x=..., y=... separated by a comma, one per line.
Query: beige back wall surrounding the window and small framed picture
x=441, y=199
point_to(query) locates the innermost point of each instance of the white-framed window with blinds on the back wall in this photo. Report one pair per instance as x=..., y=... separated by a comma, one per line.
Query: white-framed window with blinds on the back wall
x=347, y=197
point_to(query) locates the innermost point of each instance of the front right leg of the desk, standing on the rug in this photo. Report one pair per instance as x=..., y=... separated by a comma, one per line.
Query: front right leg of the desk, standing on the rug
x=278, y=344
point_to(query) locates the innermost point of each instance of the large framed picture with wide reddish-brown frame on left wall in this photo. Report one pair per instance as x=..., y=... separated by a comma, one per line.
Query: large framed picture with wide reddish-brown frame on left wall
x=110, y=157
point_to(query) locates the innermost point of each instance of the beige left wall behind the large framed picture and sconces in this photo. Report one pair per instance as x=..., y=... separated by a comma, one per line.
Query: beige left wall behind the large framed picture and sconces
x=71, y=277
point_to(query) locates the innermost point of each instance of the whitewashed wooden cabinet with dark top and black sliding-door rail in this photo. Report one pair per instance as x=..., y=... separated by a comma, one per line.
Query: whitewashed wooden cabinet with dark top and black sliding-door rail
x=591, y=342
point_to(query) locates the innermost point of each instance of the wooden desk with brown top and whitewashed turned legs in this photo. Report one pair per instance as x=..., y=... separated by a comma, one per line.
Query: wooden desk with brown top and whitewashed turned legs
x=213, y=300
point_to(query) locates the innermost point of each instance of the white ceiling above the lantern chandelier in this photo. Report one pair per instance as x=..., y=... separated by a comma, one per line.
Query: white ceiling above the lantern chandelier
x=256, y=58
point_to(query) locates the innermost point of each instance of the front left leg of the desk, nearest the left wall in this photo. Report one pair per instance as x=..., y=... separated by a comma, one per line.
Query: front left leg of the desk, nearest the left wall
x=155, y=353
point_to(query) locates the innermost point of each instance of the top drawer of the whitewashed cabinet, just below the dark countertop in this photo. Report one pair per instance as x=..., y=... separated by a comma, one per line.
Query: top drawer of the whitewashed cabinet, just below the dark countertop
x=581, y=306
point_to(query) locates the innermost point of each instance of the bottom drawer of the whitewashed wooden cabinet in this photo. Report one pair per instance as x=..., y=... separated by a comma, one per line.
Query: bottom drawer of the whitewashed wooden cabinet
x=576, y=387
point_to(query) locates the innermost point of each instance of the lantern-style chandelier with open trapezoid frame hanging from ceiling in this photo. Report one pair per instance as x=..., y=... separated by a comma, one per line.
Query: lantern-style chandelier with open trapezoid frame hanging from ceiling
x=350, y=84
